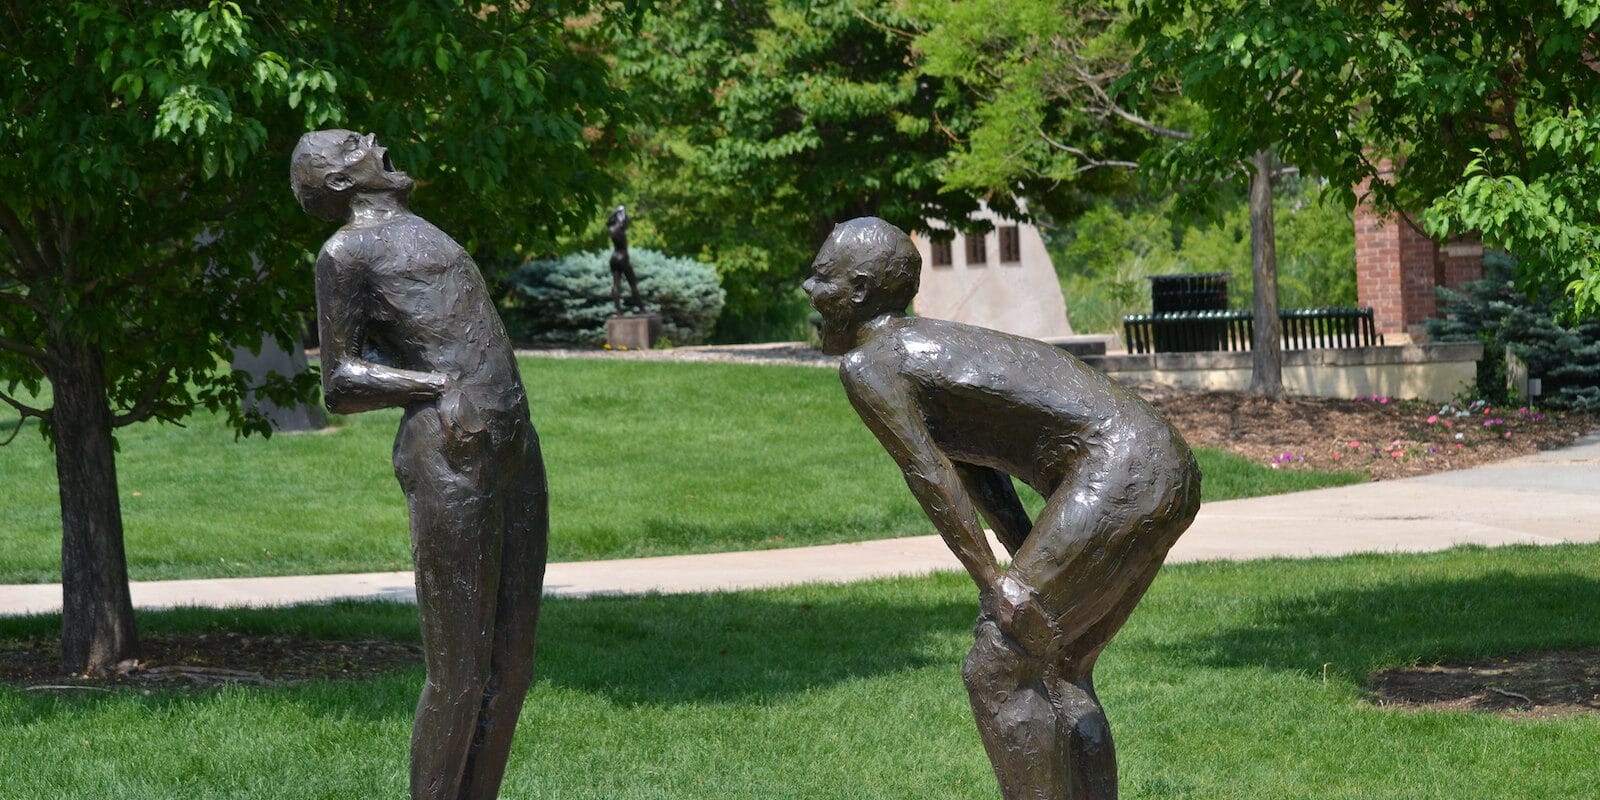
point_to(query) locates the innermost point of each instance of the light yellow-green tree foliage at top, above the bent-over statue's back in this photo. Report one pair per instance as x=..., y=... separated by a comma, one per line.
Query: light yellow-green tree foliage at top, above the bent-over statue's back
x=1034, y=76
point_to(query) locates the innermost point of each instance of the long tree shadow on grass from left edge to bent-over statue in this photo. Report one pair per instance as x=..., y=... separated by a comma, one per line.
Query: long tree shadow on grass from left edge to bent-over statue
x=636, y=650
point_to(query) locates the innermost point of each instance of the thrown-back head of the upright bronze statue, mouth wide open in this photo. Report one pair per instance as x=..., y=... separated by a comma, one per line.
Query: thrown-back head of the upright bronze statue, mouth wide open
x=330, y=167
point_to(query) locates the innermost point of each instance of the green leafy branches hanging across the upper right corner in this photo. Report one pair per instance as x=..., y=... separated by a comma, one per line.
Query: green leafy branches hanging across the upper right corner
x=1479, y=111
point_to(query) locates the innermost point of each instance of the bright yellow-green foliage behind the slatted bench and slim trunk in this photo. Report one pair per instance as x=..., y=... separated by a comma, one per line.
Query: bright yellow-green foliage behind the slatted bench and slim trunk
x=1106, y=257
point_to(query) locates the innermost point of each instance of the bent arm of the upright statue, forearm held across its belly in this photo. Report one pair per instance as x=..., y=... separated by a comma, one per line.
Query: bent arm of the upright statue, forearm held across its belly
x=350, y=383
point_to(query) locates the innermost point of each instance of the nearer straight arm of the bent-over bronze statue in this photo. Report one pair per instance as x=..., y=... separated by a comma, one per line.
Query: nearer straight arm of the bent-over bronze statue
x=890, y=412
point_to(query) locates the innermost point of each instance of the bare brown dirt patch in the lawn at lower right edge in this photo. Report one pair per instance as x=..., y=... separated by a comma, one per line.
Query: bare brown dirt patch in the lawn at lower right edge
x=1534, y=686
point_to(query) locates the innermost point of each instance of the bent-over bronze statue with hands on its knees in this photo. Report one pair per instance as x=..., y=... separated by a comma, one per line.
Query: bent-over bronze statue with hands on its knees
x=964, y=410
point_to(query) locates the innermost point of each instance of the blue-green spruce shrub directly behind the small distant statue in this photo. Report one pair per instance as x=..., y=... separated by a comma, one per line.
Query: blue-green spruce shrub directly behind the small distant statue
x=569, y=300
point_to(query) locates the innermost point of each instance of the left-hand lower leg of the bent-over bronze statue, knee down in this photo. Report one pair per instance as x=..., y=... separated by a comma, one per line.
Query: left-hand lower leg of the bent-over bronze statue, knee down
x=1015, y=718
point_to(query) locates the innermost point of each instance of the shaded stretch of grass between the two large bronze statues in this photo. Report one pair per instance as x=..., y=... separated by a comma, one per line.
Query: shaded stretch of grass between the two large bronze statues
x=732, y=649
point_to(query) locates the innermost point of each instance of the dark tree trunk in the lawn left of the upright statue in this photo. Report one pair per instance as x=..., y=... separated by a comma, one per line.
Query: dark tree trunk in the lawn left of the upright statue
x=97, y=615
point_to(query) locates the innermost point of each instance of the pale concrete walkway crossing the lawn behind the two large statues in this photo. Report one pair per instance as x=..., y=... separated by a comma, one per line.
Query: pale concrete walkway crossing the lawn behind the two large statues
x=1546, y=498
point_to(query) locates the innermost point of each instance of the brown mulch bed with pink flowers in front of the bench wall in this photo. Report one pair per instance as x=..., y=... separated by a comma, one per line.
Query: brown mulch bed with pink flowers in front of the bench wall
x=1377, y=436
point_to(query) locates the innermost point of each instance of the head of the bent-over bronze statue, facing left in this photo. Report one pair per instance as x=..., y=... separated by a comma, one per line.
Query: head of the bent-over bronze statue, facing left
x=866, y=268
